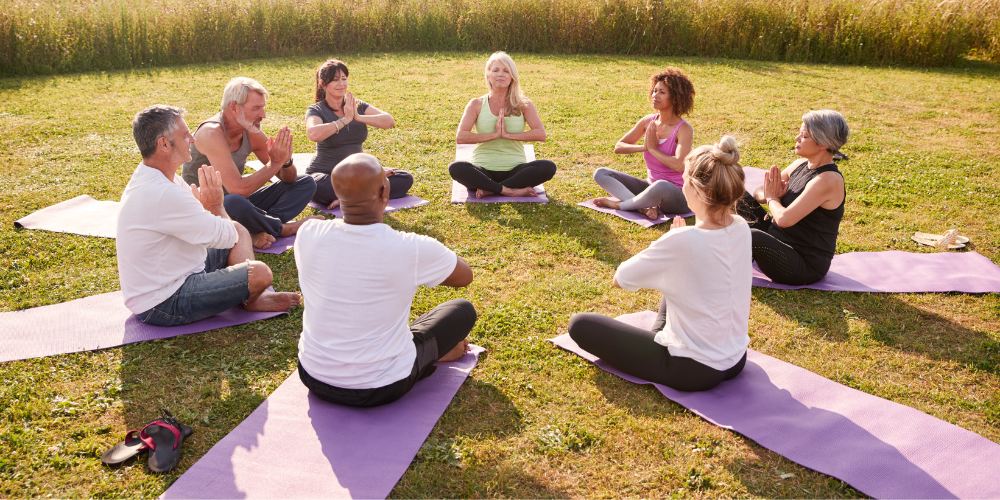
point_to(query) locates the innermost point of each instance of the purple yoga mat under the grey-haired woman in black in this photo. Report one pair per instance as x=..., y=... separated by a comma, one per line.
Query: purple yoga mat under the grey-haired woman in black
x=901, y=272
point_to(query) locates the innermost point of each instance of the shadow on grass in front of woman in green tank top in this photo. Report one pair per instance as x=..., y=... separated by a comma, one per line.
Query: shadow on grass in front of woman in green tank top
x=556, y=218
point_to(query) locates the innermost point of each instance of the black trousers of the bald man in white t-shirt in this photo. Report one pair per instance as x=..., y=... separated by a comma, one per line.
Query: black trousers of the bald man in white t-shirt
x=434, y=334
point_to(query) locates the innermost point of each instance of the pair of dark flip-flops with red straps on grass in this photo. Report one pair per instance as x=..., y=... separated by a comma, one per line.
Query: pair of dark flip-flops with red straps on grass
x=162, y=439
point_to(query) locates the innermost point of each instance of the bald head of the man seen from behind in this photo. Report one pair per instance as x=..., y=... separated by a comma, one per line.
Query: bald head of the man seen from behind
x=360, y=184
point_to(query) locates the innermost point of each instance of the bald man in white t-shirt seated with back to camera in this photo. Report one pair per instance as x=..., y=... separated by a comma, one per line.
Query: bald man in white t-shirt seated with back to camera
x=358, y=278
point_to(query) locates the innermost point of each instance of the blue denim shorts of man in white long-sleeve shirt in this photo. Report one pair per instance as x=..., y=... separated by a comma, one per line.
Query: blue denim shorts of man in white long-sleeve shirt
x=203, y=294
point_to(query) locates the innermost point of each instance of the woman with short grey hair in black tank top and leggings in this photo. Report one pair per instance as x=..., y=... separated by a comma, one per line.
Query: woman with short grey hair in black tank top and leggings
x=794, y=243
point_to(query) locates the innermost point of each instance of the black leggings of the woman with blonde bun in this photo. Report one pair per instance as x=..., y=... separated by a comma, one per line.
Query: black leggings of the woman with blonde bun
x=633, y=351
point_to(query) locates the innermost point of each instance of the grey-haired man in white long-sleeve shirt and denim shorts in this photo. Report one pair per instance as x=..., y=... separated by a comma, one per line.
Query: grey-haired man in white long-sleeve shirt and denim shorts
x=180, y=257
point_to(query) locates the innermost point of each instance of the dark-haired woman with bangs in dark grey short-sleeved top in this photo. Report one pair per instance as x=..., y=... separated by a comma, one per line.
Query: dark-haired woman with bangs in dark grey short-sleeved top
x=338, y=124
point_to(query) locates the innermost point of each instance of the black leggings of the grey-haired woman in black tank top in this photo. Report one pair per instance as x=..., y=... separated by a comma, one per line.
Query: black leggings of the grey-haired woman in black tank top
x=775, y=258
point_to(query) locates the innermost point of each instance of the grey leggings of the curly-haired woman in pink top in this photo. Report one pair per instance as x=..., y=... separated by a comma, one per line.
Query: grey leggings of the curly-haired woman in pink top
x=636, y=194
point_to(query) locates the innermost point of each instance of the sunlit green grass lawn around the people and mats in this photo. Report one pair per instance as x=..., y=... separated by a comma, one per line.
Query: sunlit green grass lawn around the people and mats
x=531, y=421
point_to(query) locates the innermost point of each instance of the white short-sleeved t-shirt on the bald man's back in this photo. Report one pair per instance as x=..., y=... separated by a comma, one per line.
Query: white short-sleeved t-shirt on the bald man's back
x=358, y=282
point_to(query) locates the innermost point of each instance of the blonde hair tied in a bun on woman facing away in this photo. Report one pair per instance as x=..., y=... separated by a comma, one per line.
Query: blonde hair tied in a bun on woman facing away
x=715, y=173
